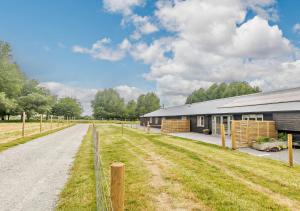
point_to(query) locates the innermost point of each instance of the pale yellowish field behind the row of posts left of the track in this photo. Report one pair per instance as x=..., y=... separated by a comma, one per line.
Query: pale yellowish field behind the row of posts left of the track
x=13, y=131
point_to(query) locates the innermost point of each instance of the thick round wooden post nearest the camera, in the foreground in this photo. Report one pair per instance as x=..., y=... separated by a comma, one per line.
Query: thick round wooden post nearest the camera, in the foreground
x=117, y=188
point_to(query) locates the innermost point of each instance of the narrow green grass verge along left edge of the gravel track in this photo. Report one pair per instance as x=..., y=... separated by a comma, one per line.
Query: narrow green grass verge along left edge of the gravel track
x=4, y=146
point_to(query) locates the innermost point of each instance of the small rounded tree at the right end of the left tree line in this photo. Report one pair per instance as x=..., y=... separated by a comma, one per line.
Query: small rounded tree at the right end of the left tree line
x=67, y=107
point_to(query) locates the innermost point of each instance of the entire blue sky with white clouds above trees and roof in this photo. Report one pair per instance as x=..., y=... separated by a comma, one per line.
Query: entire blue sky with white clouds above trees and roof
x=170, y=47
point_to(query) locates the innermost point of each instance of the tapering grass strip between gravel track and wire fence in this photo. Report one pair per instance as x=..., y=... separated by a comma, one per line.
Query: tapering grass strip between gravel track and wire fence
x=79, y=193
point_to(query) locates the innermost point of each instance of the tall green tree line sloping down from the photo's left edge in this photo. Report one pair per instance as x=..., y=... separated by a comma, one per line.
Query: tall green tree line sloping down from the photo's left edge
x=19, y=94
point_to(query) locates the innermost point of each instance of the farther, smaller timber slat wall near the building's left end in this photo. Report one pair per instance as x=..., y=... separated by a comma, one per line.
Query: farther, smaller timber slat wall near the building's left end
x=175, y=126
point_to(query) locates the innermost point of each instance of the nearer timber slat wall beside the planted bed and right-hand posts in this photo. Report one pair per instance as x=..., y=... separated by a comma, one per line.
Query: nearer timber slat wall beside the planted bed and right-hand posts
x=246, y=132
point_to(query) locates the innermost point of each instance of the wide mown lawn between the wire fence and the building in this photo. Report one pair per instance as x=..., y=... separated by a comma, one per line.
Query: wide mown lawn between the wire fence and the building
x=168, y=173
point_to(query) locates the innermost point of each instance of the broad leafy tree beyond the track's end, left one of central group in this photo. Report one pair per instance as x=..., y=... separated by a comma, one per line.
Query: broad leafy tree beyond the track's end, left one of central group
x=108, y=104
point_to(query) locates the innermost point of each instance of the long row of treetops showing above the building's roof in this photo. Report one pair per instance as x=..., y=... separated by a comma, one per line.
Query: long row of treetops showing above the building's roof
x=223, y=90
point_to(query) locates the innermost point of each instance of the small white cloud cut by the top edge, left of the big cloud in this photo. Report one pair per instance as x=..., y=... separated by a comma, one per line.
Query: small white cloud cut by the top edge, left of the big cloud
x=121, y=6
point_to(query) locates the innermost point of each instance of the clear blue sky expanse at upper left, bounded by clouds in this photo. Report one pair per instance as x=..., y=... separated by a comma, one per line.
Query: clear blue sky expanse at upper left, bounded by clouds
x=36, y=29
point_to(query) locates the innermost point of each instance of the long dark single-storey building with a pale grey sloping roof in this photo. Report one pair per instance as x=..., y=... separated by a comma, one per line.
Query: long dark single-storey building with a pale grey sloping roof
x=281, y=106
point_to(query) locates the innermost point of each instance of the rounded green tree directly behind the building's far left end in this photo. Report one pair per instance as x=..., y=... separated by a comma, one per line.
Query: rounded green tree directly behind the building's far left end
x=147, y=103
